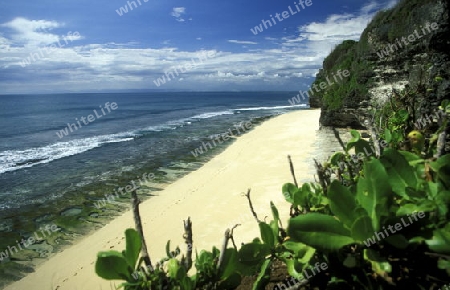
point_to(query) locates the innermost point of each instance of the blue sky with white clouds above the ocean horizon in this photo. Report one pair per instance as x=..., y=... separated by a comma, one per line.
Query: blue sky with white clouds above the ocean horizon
x=50, y=46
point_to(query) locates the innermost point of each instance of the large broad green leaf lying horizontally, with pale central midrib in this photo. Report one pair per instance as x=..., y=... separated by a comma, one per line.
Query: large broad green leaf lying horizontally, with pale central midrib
x=319, y=231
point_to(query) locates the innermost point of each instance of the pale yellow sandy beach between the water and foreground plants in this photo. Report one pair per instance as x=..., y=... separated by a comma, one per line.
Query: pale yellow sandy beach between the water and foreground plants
x=211, y=196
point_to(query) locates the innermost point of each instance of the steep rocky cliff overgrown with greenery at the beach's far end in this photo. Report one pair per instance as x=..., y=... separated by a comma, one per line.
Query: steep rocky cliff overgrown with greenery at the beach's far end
x=407, y=46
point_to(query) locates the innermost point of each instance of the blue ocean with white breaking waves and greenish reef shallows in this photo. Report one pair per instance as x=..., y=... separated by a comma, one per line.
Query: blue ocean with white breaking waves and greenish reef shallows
x=62, y=153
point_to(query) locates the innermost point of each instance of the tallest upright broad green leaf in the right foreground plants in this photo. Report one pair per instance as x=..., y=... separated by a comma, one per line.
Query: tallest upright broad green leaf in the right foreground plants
x=373, y=191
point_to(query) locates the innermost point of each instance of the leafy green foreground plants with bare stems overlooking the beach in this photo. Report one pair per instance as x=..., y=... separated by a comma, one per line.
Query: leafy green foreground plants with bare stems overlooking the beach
x=341, y=231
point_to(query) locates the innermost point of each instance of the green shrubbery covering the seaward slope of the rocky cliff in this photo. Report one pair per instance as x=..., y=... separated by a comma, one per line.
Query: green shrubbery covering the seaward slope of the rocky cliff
x=360, y=58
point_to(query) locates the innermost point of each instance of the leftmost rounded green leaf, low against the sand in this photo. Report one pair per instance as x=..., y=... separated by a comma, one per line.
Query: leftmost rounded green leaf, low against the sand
x=111, y=265
